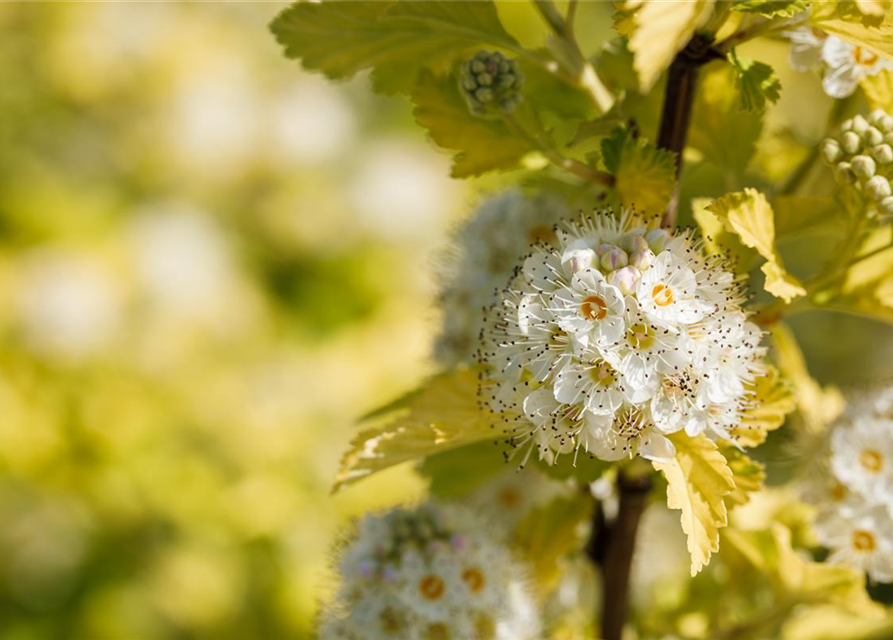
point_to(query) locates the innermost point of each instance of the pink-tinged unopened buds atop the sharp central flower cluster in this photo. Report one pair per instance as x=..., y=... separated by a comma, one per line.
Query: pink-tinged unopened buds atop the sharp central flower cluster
x=624, y=262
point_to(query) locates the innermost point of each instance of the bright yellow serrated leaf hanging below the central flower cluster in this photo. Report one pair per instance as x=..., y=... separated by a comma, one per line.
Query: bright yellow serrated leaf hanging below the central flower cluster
x=698, y=479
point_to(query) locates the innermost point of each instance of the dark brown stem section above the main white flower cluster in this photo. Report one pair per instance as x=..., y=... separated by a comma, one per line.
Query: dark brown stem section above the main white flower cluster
x=676, y=113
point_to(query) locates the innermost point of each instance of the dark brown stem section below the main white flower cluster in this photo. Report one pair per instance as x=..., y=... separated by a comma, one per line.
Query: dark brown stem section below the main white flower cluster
x=613, y=549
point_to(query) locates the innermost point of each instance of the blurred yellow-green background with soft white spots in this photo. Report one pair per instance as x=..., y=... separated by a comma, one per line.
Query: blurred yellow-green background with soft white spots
x=210, y=264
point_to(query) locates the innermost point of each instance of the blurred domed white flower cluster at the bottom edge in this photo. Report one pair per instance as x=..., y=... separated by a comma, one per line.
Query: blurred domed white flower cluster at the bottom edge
x=431, y=573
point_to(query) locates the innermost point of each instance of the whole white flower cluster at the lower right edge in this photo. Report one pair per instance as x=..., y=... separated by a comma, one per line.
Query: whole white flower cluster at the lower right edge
x=855, y=520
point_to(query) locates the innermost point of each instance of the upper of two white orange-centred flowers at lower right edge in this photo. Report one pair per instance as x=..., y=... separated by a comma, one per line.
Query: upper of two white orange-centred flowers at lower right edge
x=862, y=458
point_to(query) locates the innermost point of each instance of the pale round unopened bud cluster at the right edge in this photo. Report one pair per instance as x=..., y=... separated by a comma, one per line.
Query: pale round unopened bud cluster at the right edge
x=863, y=156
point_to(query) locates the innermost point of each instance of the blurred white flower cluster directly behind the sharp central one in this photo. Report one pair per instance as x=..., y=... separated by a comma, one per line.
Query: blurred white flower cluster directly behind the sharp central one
x=484, y=252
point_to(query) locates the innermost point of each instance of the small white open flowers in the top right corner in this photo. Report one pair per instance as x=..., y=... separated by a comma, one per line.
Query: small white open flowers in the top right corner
x=843, y=64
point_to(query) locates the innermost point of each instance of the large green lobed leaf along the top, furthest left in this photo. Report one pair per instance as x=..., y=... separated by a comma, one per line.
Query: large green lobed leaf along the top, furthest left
x=396, y=38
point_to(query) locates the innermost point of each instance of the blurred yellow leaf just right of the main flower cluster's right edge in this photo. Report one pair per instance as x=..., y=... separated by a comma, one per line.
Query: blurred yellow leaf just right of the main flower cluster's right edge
x=818, y=406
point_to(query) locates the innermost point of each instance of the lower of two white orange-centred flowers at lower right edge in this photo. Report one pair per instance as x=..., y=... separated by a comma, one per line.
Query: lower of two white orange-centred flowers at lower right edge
x=862, y=539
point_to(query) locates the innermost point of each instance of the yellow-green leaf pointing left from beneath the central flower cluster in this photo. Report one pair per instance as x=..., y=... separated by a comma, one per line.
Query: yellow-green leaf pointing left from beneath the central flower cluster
x=439, y=417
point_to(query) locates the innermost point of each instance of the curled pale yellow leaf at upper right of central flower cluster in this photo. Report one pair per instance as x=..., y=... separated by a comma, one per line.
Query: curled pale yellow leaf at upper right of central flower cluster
x=748, y=214
